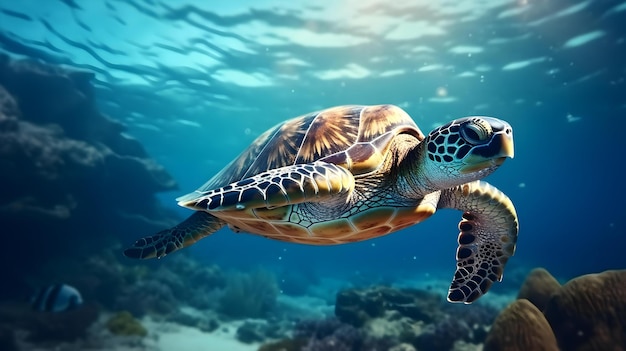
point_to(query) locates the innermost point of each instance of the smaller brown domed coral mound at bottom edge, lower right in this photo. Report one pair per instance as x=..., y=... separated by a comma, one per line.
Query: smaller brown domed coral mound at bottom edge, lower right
x=520, y=327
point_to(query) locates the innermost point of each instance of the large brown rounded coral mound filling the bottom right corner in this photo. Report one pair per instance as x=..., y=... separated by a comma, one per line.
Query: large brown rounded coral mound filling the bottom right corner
x=589, y=312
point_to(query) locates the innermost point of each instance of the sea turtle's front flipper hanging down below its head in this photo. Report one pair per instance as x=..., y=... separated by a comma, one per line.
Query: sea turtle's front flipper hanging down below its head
x=486, y=241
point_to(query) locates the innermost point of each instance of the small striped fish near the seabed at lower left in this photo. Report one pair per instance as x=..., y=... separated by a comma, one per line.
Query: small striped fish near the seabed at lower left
x=56, y=298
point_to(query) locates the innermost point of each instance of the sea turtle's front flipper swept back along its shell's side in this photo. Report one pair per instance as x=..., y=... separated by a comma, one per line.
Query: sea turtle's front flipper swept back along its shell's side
x=274, y=188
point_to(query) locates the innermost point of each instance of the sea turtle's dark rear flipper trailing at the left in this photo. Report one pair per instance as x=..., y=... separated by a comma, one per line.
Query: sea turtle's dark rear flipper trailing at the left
x=194, y=228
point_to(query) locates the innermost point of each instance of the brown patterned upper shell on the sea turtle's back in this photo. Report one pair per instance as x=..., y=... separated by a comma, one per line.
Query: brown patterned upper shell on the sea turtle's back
x=355, y=137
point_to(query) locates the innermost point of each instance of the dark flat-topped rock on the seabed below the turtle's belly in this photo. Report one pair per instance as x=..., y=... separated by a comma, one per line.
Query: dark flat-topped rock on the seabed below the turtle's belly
x=357, y=306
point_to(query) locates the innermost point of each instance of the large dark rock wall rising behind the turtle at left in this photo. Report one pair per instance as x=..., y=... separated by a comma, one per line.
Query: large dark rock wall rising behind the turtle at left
x=67, y=171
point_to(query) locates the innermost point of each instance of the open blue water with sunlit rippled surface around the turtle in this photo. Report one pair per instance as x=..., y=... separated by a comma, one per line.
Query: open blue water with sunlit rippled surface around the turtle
x=196, y=83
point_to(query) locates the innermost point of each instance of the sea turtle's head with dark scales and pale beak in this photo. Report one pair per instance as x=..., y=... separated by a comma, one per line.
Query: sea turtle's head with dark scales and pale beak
x=465, y=149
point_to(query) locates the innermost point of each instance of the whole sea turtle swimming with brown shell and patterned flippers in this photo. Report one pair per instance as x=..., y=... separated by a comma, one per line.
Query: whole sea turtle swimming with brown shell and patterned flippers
x=352, y=173
